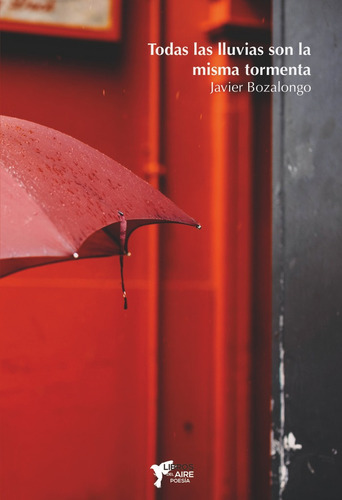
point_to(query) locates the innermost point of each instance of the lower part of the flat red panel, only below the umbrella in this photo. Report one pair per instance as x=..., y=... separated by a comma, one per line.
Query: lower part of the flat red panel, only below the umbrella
x=68, y=395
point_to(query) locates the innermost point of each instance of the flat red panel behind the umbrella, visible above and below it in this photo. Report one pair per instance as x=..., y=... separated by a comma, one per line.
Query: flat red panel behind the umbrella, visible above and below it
x=75, y=394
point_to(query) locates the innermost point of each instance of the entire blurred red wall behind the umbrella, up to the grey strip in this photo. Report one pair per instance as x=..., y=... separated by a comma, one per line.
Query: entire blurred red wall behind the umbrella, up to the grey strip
x=91, y=395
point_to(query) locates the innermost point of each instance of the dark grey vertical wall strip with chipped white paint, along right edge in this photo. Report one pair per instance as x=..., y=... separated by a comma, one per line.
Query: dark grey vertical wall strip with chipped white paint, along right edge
x=307, y=248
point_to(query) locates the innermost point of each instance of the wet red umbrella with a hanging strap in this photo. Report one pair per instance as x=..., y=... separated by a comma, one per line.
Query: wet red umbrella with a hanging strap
x=61, y=199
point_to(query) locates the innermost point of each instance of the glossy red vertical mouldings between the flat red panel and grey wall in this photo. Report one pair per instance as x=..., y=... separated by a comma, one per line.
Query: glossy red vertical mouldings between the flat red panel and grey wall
x=210, y=414
